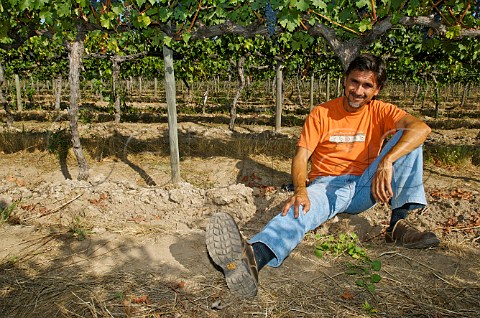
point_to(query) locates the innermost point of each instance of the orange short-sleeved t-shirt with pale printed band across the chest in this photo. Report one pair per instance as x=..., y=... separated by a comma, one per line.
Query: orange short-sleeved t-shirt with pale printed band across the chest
x=343, y=142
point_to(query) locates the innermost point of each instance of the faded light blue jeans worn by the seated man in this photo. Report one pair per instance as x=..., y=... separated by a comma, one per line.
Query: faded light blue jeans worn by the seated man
x=347, y=193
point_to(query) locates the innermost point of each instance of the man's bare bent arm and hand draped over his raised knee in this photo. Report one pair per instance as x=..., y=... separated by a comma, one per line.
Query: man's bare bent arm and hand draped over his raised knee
x=414, y=134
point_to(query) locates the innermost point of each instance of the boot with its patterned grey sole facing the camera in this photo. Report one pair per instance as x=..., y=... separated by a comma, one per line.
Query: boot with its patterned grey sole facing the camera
x=229, y=250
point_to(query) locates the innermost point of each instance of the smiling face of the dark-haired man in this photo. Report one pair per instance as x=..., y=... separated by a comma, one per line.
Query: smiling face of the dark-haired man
x=360, y=88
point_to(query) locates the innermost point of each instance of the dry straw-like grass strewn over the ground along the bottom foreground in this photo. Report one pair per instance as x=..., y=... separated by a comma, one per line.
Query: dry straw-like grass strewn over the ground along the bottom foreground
x=412, y=286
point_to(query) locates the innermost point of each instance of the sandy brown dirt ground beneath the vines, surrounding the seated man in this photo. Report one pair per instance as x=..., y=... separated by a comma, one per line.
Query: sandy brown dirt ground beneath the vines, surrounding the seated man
x=127, y=243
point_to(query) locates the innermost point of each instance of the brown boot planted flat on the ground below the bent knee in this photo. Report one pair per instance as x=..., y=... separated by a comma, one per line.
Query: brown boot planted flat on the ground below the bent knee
x=404, y=234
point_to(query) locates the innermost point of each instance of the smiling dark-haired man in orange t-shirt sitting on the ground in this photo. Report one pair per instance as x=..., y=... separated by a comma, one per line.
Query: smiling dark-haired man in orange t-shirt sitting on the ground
x=350, y=172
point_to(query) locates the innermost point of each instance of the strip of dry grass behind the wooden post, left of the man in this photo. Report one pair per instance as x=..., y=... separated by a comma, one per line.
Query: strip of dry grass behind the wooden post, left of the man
x=106, y=140
